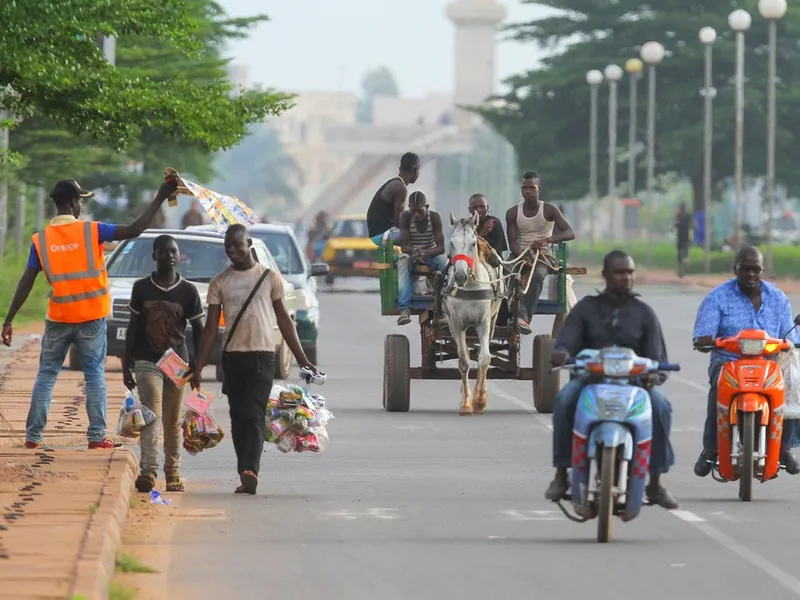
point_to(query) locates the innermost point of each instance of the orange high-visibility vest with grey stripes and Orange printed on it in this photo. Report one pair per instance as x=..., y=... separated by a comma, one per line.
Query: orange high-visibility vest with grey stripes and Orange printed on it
x=73, y=263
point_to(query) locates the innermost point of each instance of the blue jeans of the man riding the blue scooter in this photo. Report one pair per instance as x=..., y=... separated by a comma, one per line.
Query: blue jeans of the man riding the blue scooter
x=661, y=457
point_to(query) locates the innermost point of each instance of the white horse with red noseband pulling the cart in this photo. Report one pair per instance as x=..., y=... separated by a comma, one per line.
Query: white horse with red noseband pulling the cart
x=471, y=299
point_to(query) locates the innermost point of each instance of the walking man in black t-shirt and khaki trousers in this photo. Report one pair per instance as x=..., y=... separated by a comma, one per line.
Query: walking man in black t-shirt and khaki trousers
x=161, y=305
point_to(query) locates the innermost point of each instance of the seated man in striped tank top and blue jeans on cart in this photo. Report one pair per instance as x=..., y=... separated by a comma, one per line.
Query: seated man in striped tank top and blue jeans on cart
x=421, y=238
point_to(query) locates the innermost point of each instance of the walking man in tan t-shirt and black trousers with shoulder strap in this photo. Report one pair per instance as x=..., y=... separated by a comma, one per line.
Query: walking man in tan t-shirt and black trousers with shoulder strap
x=248, y=362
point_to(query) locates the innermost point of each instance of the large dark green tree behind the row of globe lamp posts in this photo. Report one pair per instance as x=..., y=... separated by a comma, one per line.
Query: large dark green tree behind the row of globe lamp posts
x=546, y=113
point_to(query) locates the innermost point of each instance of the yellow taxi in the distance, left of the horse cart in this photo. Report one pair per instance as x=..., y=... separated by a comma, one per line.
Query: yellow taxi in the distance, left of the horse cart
x=348, y=251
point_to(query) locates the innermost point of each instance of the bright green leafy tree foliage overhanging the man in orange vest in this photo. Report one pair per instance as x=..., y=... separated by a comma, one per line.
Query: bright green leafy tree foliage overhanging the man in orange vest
x=52, y=66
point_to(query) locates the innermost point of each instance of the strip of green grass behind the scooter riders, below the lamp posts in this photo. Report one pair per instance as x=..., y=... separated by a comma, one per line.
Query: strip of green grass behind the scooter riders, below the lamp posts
x=787, y=258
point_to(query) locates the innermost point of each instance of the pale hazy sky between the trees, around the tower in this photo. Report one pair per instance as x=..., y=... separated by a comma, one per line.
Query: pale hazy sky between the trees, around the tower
x=329, y=44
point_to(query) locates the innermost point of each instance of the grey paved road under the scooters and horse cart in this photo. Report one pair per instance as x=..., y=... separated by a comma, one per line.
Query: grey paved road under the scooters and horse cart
x=432, y=505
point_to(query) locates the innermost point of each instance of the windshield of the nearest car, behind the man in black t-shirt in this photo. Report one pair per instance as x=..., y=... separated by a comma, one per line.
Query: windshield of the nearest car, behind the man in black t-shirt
x=201, y=259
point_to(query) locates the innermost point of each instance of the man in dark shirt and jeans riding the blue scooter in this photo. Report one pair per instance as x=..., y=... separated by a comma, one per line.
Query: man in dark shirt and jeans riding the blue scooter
x=615, y=317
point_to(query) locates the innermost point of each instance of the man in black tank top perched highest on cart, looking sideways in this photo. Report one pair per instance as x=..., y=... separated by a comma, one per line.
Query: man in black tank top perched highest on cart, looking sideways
x=389, y=201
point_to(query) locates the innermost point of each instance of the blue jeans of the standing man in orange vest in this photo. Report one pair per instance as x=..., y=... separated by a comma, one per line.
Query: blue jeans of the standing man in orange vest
x=90, y=339
